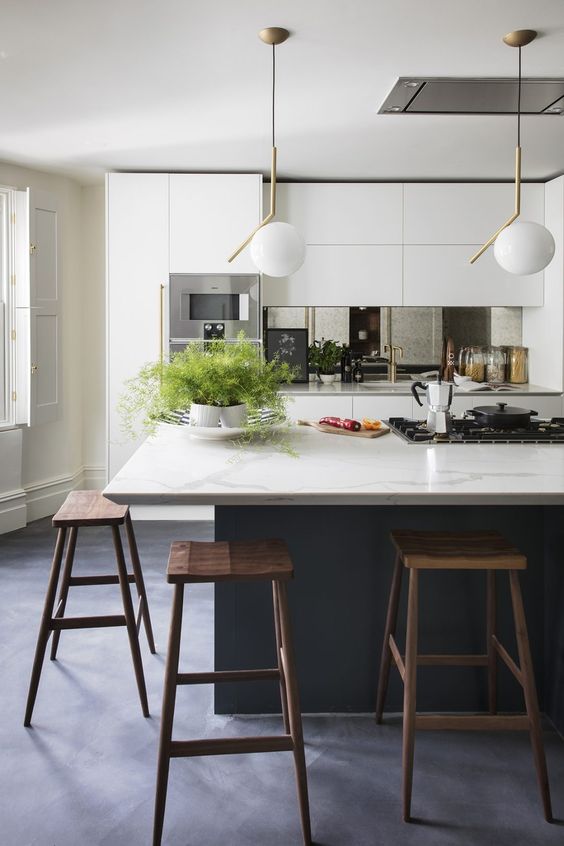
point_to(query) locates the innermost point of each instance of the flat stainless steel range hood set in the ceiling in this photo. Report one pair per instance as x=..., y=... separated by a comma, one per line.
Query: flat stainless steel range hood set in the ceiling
x=473, y=96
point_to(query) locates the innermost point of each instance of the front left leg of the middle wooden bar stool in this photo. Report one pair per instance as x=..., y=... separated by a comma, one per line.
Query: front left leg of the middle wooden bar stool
x=167, y=715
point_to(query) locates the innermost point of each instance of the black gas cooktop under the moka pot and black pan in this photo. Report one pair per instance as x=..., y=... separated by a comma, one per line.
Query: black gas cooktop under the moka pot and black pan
x=468, y=431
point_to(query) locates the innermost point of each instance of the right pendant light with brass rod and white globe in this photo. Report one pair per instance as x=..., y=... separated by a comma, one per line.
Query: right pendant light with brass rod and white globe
x=521, y=246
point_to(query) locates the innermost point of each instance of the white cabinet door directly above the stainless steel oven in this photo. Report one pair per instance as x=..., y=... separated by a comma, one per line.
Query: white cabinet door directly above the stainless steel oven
x=210, y=215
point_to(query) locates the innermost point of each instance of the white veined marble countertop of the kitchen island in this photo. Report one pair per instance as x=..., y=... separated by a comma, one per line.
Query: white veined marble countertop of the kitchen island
x=171, y=468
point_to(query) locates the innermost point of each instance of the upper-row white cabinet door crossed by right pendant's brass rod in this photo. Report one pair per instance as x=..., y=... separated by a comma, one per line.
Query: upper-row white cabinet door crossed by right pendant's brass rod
x=464, y=213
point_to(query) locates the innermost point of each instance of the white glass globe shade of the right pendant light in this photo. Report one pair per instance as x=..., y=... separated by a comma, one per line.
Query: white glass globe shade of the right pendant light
x=524, y=247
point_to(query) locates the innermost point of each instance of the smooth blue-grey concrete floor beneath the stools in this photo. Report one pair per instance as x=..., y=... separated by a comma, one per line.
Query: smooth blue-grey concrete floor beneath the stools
x=84, y=774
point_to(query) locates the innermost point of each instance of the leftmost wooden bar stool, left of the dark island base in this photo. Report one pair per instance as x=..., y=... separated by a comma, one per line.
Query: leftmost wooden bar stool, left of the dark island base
x=82, y=509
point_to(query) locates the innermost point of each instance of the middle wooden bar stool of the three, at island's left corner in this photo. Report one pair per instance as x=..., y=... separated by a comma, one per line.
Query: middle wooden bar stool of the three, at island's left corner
x=236, y=561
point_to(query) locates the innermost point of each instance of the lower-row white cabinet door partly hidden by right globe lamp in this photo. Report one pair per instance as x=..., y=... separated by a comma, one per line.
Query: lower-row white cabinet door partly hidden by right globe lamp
x=443, y=276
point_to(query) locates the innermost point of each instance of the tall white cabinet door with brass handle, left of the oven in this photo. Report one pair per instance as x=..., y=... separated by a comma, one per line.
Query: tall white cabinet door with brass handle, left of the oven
x=137, y=250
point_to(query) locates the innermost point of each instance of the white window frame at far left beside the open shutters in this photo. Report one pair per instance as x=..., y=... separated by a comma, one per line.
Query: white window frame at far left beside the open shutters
x=8, y=288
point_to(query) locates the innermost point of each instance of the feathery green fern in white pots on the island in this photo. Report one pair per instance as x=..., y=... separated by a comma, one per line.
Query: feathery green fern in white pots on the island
x=227, y=382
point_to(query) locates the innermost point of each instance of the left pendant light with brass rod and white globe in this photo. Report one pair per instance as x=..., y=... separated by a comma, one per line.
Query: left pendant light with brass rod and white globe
x=277, y=248
